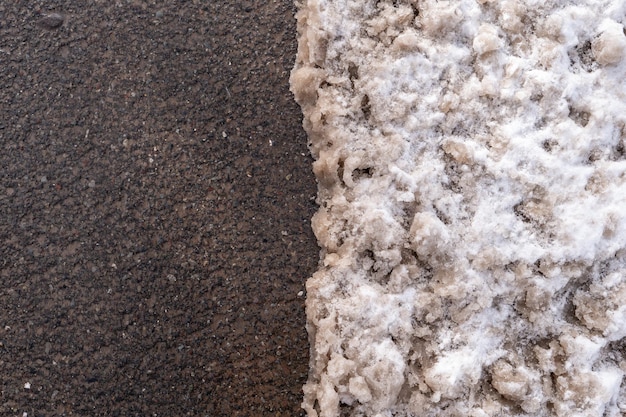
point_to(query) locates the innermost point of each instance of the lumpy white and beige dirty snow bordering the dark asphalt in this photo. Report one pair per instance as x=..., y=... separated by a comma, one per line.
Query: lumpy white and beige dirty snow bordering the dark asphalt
x=471, y=161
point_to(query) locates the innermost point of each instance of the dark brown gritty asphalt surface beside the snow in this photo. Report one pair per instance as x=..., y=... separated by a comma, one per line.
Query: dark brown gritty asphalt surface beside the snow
x=155, y=197
